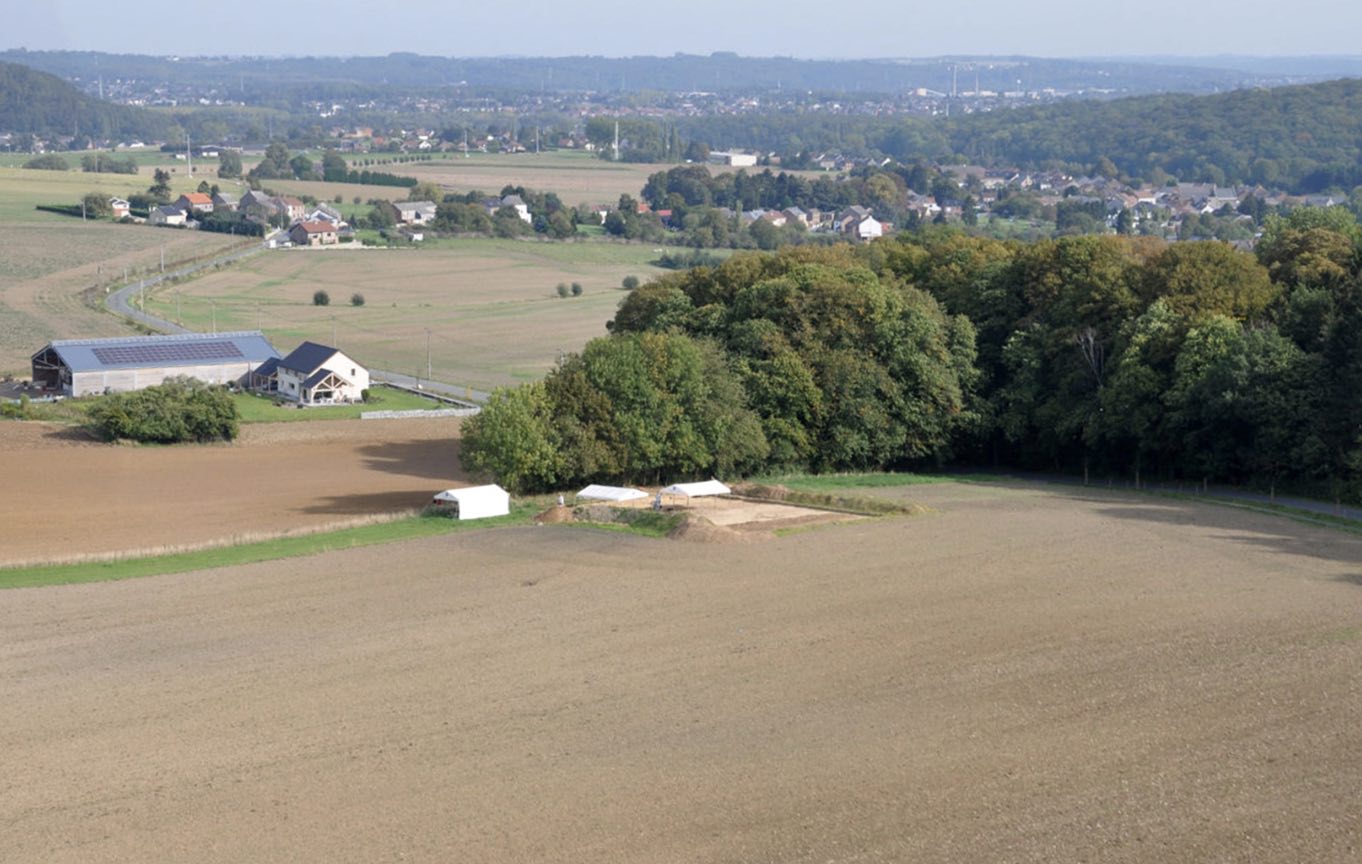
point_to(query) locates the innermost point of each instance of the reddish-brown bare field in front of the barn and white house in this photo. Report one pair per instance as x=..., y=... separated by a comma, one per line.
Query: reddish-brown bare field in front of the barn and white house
x=67, y=497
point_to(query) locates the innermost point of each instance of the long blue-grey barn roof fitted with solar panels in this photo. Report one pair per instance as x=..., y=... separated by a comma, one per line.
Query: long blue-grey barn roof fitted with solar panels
x=175, y=351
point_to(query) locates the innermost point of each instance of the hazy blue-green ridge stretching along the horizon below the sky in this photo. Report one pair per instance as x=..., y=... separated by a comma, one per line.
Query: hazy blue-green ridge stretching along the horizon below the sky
x=721, y=73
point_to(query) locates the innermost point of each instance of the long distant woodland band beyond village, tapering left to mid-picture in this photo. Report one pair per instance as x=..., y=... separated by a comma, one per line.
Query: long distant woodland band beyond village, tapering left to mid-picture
x=1300, y=140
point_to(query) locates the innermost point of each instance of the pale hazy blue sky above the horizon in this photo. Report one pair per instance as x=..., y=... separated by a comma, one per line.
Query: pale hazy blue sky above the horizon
x=761, y=28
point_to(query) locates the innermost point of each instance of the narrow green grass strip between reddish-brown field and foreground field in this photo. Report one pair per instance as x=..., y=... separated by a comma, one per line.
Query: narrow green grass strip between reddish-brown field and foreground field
x=411, y=528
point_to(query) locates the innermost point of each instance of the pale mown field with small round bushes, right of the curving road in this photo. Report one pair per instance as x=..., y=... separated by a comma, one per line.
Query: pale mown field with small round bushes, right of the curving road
x=491, y=306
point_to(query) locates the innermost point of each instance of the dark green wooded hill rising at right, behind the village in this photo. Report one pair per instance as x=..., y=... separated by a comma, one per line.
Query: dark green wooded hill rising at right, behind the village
x=1303, y=140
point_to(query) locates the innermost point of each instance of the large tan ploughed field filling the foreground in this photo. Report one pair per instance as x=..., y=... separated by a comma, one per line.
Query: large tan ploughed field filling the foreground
x=1024, y=675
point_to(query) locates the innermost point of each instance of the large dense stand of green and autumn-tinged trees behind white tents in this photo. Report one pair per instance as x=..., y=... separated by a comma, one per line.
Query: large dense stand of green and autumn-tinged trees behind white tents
x=1100, y=356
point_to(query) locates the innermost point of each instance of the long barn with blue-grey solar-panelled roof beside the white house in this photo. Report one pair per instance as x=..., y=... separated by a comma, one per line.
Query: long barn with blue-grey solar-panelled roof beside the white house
x=82, y=367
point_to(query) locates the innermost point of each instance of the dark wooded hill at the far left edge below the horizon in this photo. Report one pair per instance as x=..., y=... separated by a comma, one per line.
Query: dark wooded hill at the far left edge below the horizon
x=43, y=104
